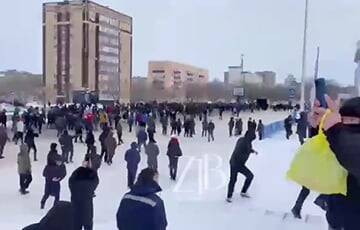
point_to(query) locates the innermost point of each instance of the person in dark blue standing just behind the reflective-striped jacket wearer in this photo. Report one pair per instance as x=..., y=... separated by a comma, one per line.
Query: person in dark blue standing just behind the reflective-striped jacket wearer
x=132, y=158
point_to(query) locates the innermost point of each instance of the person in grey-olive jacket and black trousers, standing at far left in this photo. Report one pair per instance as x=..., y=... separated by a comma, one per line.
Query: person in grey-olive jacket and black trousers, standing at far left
x=24, y=168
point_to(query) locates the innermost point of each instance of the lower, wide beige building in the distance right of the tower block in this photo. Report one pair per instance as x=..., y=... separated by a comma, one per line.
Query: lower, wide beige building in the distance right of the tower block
x=172, y=79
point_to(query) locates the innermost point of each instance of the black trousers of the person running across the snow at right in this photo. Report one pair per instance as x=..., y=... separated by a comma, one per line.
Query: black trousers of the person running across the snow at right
x=233, y=178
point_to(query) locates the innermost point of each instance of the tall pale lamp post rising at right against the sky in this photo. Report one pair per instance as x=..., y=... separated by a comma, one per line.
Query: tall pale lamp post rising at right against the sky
x=303, y=69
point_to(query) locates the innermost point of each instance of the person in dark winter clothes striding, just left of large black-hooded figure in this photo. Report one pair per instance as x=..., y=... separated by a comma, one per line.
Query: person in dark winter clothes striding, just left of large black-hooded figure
x=54, y=172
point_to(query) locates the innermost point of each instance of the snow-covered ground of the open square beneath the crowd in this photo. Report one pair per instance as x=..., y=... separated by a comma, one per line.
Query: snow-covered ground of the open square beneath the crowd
x=195, y=201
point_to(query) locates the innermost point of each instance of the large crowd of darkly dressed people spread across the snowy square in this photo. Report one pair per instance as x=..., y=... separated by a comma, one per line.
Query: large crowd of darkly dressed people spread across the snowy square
x=85, y=120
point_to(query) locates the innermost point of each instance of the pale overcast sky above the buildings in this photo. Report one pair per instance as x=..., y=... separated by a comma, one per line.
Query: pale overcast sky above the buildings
x=209, y=33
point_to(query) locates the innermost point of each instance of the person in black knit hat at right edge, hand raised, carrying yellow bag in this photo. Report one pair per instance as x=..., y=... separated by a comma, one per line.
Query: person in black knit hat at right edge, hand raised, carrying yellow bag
x=342, y=129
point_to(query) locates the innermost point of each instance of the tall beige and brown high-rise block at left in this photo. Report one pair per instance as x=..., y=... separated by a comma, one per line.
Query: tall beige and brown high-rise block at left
x=86, y=47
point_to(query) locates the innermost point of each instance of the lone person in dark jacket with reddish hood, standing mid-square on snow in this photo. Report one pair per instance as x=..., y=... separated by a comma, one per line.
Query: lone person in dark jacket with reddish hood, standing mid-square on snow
x=173, y=152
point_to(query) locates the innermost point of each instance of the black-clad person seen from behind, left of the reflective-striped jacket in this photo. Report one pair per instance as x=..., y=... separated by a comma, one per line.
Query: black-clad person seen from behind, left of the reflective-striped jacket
x=83, y=183
